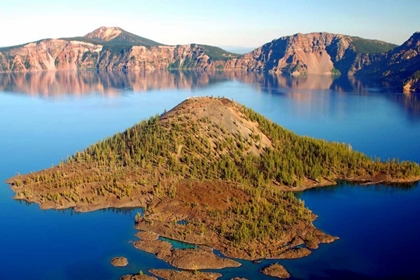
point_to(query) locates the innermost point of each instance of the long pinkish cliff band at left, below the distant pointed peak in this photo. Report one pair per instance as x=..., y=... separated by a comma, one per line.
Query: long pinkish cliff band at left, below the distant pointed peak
x=72, y=55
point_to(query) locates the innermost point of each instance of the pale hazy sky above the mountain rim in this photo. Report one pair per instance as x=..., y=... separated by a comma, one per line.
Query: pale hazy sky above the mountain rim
x=214, y=22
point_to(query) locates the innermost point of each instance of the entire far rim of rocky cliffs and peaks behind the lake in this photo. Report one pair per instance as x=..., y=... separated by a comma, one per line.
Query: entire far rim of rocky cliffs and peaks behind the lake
x=314, y=53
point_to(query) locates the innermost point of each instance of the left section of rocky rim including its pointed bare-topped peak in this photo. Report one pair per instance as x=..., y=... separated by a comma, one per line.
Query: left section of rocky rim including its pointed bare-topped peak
x=108, y=49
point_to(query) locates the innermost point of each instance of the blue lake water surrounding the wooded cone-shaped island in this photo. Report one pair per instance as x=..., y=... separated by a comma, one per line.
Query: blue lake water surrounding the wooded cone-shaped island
x=45, y=117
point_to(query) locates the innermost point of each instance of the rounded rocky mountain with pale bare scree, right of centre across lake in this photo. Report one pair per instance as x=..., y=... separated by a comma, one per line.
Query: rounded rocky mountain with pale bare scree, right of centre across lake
x=313, y=53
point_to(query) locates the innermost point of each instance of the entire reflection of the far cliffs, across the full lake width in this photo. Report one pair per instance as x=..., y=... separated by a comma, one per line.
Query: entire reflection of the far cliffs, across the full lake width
x=300, y=89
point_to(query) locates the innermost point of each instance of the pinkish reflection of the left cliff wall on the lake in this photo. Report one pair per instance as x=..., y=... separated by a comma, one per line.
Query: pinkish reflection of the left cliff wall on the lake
x=55, y=83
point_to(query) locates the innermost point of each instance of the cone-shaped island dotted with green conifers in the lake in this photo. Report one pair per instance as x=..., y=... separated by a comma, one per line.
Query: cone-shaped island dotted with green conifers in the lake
x=212, y=173
